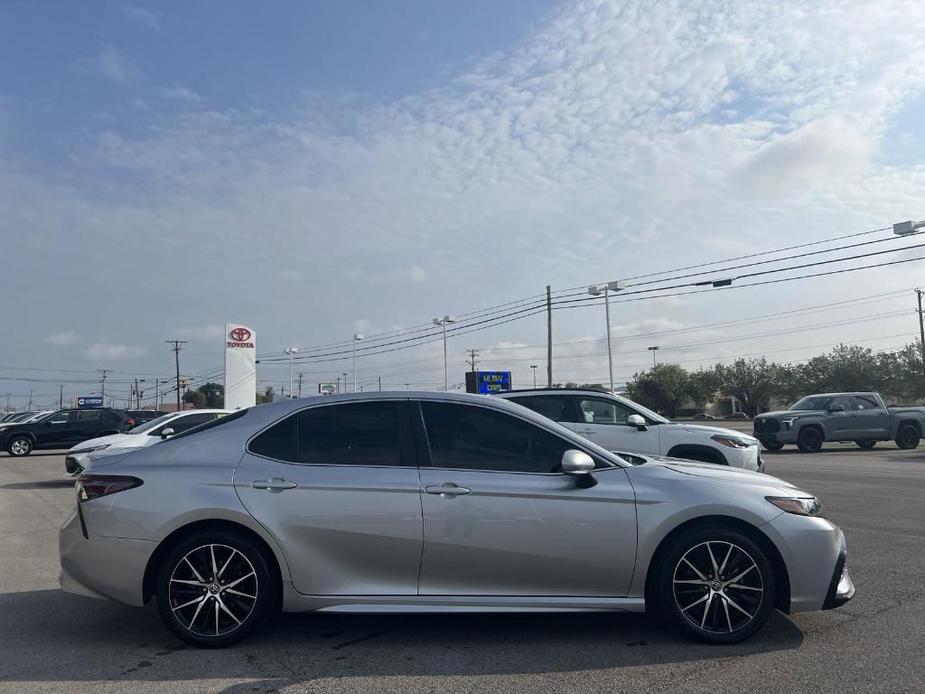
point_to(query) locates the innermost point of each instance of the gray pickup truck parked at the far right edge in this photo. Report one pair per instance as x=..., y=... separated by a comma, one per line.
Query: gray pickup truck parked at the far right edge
x=859, y=417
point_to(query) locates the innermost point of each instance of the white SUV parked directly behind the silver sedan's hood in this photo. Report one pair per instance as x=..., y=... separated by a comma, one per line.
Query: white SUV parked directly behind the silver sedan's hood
x=621, y=425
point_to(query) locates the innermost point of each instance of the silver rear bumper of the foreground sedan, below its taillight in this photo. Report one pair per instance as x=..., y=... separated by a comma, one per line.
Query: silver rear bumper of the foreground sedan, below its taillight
x=102, y=567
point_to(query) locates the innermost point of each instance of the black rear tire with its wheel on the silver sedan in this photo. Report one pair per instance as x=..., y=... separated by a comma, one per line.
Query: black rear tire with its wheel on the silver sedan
x=192, y=621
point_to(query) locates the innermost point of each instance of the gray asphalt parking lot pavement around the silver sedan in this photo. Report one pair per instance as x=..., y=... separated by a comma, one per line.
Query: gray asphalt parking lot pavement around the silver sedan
x=52, y=641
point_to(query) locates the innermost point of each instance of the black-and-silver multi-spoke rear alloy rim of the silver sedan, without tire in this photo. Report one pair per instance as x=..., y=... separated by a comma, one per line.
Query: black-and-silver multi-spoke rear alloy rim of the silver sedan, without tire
x=213, y=590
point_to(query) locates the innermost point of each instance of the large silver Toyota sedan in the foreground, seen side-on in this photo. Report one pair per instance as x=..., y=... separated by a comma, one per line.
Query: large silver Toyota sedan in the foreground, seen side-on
x=436, y=502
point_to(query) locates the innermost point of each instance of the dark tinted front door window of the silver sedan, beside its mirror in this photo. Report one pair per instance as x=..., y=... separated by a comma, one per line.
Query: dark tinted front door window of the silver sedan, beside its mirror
x=468, y=437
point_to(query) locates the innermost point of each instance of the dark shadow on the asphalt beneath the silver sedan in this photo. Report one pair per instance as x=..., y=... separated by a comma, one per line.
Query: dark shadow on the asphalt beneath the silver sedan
x=49, y=635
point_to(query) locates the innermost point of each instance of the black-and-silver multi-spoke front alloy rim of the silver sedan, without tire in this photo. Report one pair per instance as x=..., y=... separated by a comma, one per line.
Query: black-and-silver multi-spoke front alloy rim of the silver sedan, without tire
x=718, y=587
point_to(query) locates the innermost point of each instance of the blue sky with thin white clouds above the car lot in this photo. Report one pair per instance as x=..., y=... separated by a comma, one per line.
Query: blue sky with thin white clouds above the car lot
x=314, y=169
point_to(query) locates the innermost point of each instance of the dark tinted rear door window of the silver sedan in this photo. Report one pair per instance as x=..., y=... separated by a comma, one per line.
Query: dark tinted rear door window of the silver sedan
x=361, y=433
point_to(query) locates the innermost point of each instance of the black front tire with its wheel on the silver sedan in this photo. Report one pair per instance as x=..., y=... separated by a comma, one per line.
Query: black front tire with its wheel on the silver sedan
x=680, y=595
